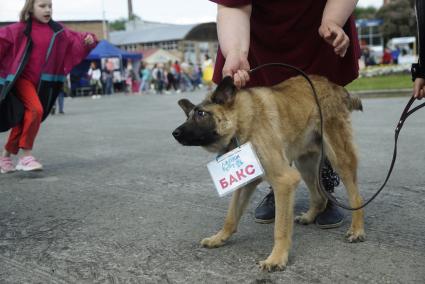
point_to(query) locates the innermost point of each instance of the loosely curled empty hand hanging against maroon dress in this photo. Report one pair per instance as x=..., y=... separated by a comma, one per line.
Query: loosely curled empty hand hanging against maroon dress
x=334, y=35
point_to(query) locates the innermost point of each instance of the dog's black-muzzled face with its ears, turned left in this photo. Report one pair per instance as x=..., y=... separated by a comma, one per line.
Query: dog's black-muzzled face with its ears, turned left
x=200, y=127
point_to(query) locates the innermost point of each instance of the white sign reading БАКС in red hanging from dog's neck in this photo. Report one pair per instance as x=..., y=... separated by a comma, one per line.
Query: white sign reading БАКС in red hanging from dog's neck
x=235, y=169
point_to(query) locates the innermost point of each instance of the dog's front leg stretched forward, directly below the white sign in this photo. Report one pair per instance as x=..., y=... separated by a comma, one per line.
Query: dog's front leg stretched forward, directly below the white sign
x=237, y=206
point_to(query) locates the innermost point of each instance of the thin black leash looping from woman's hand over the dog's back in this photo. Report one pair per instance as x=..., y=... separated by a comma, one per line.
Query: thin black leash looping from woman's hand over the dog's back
x=405, y=114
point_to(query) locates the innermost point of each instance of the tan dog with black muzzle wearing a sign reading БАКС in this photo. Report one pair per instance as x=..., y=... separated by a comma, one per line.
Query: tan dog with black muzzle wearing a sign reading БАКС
x=282, y=123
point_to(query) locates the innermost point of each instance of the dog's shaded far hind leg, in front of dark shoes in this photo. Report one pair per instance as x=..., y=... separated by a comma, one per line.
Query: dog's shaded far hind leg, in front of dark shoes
x=307, y=165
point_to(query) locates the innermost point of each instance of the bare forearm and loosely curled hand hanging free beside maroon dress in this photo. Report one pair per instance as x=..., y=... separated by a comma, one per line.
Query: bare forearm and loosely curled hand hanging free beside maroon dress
x=334, y=18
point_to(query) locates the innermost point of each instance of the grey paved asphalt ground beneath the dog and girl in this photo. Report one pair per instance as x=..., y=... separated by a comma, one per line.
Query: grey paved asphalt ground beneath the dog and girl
x=120, y=201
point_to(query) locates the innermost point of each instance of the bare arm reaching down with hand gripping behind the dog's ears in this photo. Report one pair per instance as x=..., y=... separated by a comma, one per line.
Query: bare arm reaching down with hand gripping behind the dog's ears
x=233, y=29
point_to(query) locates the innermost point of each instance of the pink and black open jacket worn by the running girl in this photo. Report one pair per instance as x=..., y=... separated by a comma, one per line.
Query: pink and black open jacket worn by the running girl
x=66, y=50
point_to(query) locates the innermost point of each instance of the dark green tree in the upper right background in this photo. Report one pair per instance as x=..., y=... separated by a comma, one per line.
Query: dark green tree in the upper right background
x=399, y=19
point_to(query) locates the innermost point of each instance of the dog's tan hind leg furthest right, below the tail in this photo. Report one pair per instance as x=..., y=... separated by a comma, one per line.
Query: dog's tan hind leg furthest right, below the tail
x=345, y=163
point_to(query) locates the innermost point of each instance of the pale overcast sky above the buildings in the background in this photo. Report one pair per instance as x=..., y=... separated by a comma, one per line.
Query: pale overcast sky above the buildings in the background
x=168, y=11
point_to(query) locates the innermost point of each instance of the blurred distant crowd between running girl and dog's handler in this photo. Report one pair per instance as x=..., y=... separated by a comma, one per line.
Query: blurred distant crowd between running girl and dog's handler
x=158, y=78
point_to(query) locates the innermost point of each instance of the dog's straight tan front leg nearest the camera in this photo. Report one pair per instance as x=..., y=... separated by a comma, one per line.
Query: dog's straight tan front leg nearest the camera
x=284, y=184
